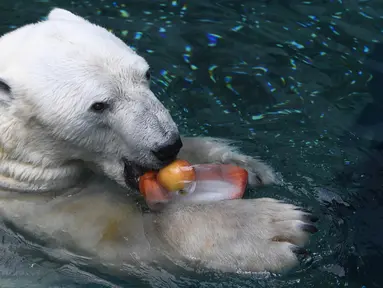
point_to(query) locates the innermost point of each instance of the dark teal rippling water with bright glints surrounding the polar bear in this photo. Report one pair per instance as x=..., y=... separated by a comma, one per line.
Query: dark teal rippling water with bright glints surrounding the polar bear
x=297, y=82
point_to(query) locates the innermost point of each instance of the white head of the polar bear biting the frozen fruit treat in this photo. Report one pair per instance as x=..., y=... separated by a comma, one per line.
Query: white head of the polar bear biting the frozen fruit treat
x=87, y=95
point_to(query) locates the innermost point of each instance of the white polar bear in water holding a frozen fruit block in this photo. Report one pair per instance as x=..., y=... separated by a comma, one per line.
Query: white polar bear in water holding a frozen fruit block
x=79, y=124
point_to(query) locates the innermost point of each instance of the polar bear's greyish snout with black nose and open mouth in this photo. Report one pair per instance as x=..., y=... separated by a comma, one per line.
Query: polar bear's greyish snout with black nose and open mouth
x=156, y=140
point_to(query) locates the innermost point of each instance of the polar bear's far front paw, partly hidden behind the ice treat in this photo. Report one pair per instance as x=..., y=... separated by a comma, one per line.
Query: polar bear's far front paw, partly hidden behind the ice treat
x=199, y=150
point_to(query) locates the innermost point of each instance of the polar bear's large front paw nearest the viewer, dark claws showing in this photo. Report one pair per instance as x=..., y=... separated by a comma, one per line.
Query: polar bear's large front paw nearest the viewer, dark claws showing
x=248, y=235
